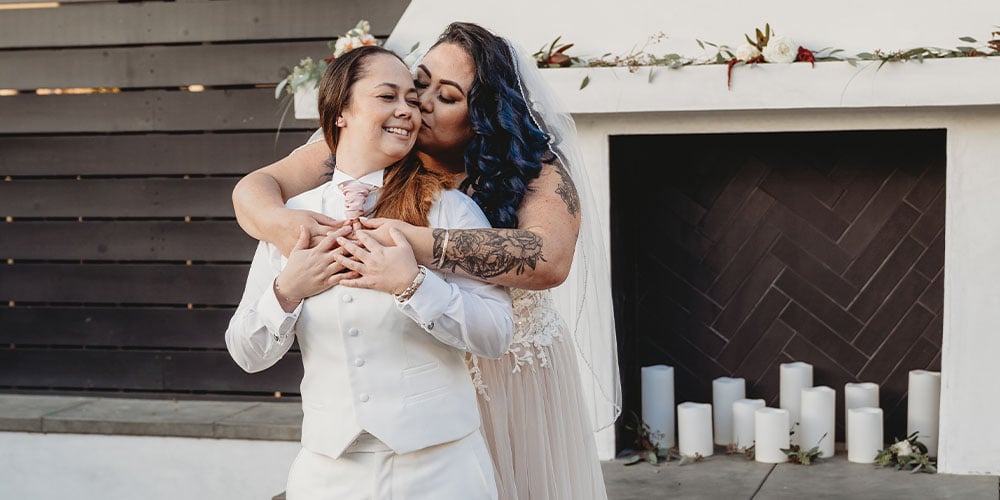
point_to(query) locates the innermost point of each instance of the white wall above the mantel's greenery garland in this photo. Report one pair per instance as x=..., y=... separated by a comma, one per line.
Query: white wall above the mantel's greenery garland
x=599, y=26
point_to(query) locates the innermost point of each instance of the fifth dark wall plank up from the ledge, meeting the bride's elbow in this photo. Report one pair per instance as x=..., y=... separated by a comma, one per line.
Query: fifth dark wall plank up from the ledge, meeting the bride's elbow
x=196, y=197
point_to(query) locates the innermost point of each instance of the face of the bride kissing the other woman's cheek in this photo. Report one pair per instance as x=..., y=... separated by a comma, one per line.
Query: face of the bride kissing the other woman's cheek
x=444, y=79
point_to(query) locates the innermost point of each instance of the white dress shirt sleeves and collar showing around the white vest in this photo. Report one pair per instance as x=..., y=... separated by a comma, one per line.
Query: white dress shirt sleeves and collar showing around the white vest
x=461, y=312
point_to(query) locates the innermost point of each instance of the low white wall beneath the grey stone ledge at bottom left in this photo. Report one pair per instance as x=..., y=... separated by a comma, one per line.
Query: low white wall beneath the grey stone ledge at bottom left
x=97, y=467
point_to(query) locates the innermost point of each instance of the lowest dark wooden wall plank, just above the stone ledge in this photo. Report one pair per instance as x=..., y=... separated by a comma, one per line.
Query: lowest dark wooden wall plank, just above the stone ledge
x=142, y=370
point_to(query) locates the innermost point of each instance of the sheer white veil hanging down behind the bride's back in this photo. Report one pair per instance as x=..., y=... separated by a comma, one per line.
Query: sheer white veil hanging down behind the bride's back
x=585, y=297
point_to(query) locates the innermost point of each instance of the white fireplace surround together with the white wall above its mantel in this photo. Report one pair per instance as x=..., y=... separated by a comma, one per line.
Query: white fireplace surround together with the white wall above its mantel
x=960, y=96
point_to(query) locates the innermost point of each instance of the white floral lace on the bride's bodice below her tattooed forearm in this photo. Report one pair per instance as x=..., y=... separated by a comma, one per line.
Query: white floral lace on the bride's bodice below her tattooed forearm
x=537, y=325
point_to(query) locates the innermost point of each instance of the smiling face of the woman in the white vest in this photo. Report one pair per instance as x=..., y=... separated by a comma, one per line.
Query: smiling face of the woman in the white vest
x=381, y=115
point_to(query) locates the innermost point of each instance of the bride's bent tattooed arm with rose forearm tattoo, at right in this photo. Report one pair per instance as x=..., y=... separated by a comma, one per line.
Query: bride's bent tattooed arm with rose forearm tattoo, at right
x=536, y=255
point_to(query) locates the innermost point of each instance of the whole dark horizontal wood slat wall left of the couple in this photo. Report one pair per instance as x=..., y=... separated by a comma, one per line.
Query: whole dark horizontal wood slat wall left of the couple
x=120, y=259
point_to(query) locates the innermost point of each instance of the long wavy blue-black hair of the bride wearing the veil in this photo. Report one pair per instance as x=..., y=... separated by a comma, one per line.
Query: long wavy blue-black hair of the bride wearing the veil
x=507, y=149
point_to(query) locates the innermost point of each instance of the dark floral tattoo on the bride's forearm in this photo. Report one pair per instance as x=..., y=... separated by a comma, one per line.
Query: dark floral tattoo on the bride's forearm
x=487, y=253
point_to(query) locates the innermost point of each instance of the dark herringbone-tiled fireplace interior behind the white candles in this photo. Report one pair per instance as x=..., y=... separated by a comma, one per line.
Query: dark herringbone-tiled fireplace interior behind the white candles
x=760, y=249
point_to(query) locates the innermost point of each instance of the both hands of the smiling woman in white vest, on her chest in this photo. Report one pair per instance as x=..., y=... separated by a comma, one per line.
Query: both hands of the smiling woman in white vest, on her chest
x=348, y=256
